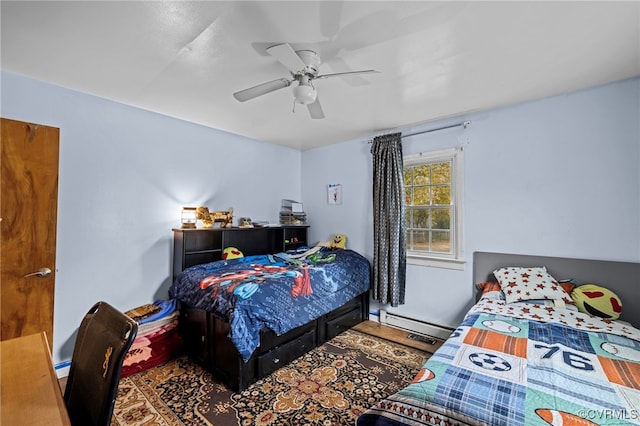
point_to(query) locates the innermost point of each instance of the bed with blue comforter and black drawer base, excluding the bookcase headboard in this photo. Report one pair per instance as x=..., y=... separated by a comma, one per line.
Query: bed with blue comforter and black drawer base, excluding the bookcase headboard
x=244, y=318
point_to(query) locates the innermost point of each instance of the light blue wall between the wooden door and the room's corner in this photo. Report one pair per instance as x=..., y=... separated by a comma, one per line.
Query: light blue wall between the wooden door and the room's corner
x=124, y=175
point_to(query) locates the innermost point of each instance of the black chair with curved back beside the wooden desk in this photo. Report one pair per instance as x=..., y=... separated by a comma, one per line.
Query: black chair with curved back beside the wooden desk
x=104, y=338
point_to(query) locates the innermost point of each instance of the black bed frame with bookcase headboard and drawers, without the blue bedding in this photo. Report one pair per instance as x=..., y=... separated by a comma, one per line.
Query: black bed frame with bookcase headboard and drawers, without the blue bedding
x=205, y=335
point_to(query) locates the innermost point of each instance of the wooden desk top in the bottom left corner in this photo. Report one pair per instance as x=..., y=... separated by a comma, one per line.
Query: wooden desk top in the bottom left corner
x=29, y=390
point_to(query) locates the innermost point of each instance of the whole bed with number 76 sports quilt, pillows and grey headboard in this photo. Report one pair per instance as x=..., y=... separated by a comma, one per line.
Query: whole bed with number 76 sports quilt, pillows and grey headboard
x=546, y=343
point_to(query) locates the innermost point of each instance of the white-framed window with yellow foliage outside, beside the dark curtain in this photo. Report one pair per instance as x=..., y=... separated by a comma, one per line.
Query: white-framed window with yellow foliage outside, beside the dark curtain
x=433, y=189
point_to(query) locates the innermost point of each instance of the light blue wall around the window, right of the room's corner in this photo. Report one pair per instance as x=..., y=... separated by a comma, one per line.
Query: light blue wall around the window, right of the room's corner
x=559, y=176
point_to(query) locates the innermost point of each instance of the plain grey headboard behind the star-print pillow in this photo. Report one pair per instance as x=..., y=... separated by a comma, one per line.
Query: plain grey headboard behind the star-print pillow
x=623, y=278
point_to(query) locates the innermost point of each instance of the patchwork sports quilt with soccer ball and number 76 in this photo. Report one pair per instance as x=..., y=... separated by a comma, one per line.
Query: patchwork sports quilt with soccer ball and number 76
x=523, y=364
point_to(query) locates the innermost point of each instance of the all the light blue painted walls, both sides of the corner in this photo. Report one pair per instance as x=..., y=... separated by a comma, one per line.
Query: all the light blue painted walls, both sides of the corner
x=559, y=176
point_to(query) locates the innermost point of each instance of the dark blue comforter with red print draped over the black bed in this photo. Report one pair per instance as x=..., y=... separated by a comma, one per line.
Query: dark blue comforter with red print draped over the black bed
x=276, y=291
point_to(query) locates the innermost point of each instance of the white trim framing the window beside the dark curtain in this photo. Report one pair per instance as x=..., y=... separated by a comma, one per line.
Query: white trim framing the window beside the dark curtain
x=456, y=259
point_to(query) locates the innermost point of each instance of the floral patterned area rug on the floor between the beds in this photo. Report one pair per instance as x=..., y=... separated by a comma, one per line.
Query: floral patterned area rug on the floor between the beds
x=331, y=385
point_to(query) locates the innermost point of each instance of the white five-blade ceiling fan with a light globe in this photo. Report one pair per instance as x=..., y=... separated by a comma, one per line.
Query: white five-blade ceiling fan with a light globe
x=303, y=66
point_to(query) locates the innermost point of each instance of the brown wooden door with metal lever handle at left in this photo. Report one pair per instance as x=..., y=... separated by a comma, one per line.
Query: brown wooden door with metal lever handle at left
x=28, y=212
